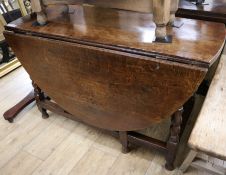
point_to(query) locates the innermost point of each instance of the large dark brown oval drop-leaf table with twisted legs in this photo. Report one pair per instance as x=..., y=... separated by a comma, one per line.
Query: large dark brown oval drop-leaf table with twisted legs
x=112, y=75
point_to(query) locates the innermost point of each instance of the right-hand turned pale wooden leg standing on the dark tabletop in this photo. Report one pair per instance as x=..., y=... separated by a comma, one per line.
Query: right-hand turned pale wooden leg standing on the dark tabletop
x=161, y=16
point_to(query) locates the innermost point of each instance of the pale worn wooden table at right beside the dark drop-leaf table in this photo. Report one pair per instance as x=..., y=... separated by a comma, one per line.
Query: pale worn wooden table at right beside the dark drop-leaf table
x=209, y=134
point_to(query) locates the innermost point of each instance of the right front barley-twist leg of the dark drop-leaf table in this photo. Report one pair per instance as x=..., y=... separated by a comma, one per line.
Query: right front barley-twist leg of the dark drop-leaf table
x=174, y=139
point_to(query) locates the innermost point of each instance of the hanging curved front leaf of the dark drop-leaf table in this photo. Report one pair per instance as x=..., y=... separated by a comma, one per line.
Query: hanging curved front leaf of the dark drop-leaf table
x=111, y=90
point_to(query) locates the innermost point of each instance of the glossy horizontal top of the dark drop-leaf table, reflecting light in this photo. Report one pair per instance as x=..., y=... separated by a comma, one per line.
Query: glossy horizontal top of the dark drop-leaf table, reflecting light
x=131, y=32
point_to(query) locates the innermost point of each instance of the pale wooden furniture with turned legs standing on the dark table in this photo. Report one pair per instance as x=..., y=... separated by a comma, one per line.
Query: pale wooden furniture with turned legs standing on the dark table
x=163, y=11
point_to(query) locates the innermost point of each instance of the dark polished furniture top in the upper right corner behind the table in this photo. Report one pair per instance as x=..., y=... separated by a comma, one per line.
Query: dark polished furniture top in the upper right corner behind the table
x=214, y=10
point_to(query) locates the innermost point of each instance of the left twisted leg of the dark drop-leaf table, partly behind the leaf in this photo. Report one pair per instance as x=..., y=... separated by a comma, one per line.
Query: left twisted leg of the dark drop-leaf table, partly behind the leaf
x=40, y=96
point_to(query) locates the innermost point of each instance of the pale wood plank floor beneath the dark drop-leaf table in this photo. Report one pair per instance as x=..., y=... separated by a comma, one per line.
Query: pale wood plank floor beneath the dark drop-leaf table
x=59, y=146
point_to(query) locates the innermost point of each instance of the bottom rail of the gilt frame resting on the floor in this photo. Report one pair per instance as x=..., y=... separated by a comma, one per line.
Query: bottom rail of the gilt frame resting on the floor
x=8, y=67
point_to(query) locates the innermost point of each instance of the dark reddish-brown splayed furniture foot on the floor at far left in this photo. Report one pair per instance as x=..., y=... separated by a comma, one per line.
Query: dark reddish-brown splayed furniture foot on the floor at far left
x=12, y=112
